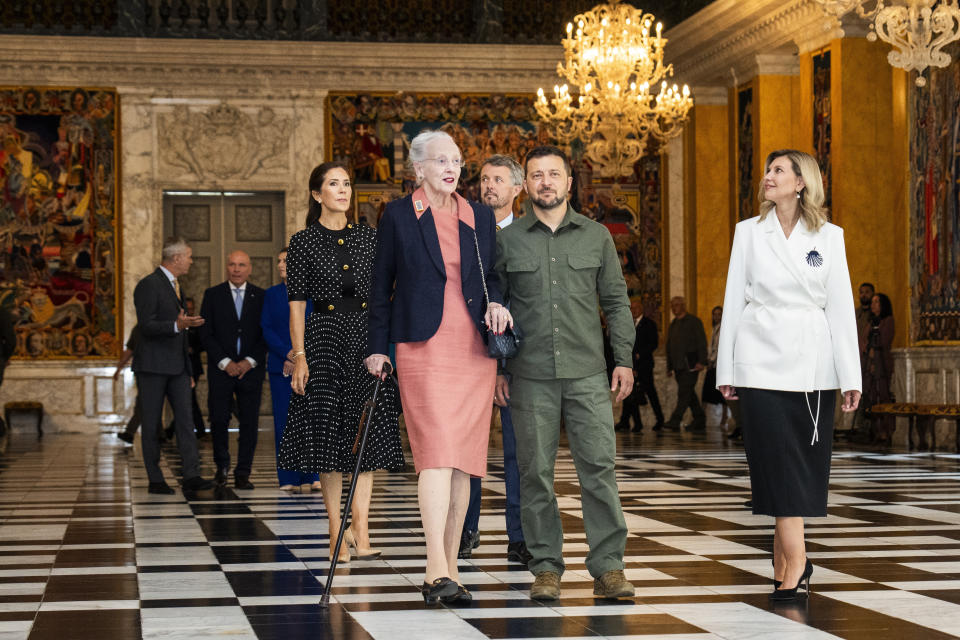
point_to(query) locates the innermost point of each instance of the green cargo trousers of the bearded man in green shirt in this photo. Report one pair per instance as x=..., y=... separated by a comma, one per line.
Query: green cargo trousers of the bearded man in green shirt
x=584, y=404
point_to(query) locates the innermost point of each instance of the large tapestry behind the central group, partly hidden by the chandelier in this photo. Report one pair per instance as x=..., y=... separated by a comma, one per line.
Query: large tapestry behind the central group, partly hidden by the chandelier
x=371, y=133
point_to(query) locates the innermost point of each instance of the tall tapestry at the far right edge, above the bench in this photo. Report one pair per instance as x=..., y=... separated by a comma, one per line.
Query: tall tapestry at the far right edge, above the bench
x=935, y=207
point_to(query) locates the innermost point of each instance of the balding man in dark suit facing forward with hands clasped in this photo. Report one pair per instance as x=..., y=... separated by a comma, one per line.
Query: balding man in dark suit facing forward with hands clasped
x=236, y=355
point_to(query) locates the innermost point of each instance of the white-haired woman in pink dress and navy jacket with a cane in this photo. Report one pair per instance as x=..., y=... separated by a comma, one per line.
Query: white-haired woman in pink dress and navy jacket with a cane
x=434, y=252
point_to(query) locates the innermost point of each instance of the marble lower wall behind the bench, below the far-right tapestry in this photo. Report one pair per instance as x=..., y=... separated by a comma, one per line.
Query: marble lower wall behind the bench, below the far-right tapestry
x=927, y=375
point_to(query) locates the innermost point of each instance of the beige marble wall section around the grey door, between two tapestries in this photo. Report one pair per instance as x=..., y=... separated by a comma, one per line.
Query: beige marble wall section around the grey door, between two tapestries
x=207, y=142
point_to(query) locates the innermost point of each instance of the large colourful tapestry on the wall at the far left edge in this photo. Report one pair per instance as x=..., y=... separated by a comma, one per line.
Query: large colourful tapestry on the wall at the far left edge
x=58, y=220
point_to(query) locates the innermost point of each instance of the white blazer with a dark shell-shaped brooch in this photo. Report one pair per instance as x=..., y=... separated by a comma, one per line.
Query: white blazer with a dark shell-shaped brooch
x=788, y=317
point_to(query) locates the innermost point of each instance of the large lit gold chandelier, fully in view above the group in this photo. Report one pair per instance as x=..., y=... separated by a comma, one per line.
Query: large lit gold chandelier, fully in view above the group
x=615, y=64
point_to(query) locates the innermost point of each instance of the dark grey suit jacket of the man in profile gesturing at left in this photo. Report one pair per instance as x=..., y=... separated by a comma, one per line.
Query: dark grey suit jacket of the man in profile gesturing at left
x=162, y=349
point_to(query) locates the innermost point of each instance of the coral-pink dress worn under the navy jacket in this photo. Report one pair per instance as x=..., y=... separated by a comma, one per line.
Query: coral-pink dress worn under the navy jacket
x=447, y=381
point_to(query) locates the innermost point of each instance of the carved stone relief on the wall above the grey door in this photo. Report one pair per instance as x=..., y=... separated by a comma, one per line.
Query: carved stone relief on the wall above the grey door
x=224, y=142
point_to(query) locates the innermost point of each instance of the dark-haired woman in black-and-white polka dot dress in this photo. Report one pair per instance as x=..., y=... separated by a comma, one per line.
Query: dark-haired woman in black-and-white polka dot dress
x=331, y=263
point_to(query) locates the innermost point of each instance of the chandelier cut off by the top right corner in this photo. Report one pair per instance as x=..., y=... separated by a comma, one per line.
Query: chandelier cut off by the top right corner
x=918, y=29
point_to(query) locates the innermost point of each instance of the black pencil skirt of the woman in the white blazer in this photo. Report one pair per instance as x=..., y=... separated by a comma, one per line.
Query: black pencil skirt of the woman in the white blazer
x=789, y=476
